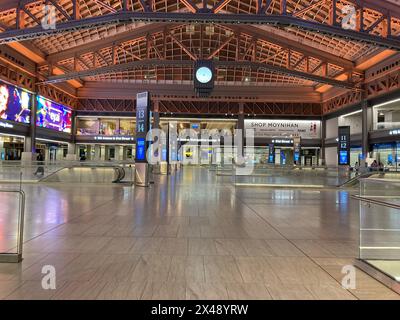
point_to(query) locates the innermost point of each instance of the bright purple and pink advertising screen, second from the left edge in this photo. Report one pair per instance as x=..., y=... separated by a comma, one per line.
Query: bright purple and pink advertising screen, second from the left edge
x=53, y=116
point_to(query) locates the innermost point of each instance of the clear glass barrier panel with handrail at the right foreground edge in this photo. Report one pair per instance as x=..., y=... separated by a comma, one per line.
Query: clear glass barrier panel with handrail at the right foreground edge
x=379, y=243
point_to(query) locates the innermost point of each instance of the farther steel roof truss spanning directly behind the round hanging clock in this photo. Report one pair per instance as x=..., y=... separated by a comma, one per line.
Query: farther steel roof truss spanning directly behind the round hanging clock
x=241, y=55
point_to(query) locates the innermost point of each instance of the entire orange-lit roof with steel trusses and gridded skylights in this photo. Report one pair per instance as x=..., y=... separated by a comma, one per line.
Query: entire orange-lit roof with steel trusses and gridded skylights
x=286, y=45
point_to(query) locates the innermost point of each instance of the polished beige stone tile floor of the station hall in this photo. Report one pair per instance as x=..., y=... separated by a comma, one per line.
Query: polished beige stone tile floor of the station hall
x=192, y=235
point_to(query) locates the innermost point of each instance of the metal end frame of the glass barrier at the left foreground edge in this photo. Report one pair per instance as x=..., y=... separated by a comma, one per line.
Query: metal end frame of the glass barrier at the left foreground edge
x=15, y=257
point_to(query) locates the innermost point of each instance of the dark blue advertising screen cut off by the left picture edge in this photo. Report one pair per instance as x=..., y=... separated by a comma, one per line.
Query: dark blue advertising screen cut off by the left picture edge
x=15, y=104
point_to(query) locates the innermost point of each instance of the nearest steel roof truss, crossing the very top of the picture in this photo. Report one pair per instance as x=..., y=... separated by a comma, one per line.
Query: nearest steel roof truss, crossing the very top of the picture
x=376, y=24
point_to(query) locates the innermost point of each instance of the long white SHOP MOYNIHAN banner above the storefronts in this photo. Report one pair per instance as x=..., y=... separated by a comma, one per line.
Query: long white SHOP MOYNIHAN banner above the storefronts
x=306, y=129
